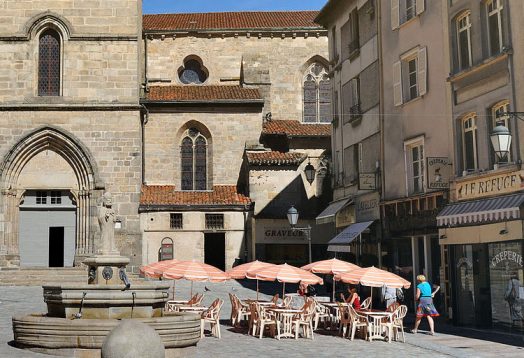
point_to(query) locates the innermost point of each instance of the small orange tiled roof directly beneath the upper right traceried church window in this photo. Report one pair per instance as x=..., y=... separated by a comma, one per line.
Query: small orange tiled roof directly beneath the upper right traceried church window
x=293, y=128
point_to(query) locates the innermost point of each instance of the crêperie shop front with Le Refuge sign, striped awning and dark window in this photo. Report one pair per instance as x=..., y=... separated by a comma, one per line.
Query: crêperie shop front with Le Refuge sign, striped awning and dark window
x=482, y=240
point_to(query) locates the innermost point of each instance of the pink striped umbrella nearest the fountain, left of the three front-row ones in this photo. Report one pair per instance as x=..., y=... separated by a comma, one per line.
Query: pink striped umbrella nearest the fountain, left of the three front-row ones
x=195, y=271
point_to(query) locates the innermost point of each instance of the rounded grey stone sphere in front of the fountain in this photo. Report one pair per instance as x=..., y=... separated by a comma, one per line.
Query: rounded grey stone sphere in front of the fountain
x=133, y=339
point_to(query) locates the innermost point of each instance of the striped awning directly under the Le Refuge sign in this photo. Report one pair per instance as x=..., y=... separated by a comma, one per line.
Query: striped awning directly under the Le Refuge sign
x=482, y=211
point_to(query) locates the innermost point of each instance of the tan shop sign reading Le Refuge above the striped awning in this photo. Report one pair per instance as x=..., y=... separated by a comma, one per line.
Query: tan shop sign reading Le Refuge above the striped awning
x=490, y=185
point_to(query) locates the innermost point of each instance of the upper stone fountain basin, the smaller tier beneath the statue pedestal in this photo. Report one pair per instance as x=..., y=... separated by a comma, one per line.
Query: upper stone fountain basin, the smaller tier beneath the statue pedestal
x=142, y=300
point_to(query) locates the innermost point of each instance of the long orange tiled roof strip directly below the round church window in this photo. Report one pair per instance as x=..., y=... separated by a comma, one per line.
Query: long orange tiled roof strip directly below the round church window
x=202, y=93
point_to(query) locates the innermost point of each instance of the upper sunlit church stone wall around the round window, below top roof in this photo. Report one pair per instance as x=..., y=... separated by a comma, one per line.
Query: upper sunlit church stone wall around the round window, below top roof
x=285, y=59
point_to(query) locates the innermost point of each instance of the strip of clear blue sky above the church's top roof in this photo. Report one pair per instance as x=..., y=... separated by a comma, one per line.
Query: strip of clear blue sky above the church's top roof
x=172, y=6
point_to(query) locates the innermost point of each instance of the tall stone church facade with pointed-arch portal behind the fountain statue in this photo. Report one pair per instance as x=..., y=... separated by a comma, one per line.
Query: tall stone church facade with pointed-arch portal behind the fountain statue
x=74, y=136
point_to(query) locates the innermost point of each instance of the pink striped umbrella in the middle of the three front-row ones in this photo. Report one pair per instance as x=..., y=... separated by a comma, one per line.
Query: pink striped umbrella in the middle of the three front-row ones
x=286, y=274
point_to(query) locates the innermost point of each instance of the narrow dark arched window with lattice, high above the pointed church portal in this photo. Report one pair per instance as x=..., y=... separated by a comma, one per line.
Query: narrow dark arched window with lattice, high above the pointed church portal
x=49, y=63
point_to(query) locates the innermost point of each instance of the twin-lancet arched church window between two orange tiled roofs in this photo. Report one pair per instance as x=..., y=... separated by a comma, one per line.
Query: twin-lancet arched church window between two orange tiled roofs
x=193, y=154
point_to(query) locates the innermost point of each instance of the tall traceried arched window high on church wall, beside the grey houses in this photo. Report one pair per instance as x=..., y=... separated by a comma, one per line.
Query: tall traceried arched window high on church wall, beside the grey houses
x=317, y=95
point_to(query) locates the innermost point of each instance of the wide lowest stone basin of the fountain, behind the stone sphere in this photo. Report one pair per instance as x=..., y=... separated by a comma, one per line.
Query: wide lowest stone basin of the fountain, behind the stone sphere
x=41, y=333
